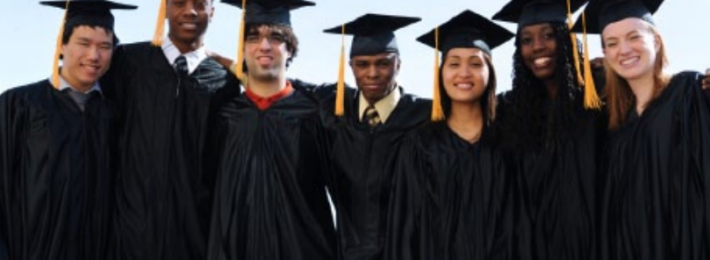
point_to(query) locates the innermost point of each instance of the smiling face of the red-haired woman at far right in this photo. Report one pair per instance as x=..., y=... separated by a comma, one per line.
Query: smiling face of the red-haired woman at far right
x=630, y=48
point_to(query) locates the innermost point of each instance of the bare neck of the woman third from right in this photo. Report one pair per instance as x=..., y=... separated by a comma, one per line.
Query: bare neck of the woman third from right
x=466, y=120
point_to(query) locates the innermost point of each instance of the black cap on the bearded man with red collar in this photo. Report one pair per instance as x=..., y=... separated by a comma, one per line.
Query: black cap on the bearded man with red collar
x=269, y=11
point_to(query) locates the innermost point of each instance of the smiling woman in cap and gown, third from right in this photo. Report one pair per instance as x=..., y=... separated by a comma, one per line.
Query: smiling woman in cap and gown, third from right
x=452, y=193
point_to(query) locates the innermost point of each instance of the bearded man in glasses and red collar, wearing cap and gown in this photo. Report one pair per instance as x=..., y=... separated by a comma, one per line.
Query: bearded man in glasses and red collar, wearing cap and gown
x=270, y=198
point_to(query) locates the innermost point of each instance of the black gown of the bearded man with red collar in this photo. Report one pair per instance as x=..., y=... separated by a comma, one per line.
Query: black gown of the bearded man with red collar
x=270, y=199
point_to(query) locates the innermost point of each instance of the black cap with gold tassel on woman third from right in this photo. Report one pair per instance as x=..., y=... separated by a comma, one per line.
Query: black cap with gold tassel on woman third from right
x=465, y=30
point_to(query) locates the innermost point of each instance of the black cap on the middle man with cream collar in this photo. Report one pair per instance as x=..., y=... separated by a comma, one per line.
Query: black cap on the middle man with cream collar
x=373, y=33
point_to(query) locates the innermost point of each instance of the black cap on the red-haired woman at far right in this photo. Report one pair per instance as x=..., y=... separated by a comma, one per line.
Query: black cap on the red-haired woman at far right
x=599, y=14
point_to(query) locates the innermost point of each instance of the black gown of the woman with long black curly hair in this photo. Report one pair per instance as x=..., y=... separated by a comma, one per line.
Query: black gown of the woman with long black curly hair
x=556, y=185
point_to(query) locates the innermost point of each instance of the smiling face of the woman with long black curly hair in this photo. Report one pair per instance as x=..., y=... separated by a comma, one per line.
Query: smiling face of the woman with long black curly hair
x=539, y=49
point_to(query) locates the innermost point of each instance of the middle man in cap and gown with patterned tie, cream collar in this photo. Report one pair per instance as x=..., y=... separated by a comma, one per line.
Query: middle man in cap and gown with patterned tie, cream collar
x=369, y=124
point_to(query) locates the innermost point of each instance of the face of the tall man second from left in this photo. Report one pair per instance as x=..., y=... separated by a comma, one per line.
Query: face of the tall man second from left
x=188, y=19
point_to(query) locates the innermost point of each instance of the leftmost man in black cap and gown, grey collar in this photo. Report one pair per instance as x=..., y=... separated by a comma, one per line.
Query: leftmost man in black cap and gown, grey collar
x=56, y=183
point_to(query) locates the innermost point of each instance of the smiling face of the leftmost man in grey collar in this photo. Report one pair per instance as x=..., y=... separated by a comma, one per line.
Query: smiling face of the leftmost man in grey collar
x=86, y=56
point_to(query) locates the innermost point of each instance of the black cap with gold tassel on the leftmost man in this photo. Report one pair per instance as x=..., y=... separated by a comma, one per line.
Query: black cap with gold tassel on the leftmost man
x=82, y=12
